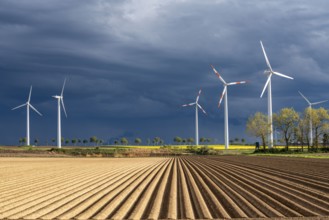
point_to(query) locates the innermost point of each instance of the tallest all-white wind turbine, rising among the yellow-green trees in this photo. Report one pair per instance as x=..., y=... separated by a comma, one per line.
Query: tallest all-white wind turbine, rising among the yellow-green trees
x=270, y=72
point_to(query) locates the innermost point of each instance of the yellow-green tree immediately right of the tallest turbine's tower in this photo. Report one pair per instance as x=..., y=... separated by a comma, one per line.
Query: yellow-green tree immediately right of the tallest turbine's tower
x=286, y=121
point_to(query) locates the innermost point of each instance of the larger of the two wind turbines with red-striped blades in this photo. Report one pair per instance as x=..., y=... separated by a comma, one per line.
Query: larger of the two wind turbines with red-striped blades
x=226, y=131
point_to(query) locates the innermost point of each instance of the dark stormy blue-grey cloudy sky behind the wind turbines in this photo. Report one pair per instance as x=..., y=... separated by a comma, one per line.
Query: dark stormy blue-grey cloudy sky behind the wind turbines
x=131, y=64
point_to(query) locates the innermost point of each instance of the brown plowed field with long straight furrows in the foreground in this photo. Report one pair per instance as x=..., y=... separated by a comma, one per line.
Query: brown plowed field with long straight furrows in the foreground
x=165, y=188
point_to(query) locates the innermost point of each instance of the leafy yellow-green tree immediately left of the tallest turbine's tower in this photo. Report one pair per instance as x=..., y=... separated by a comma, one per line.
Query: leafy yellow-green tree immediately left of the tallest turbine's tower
x=257, y=126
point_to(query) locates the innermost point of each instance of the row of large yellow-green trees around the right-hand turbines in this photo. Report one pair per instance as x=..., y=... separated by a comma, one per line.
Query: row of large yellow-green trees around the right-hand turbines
x=293, y=126
